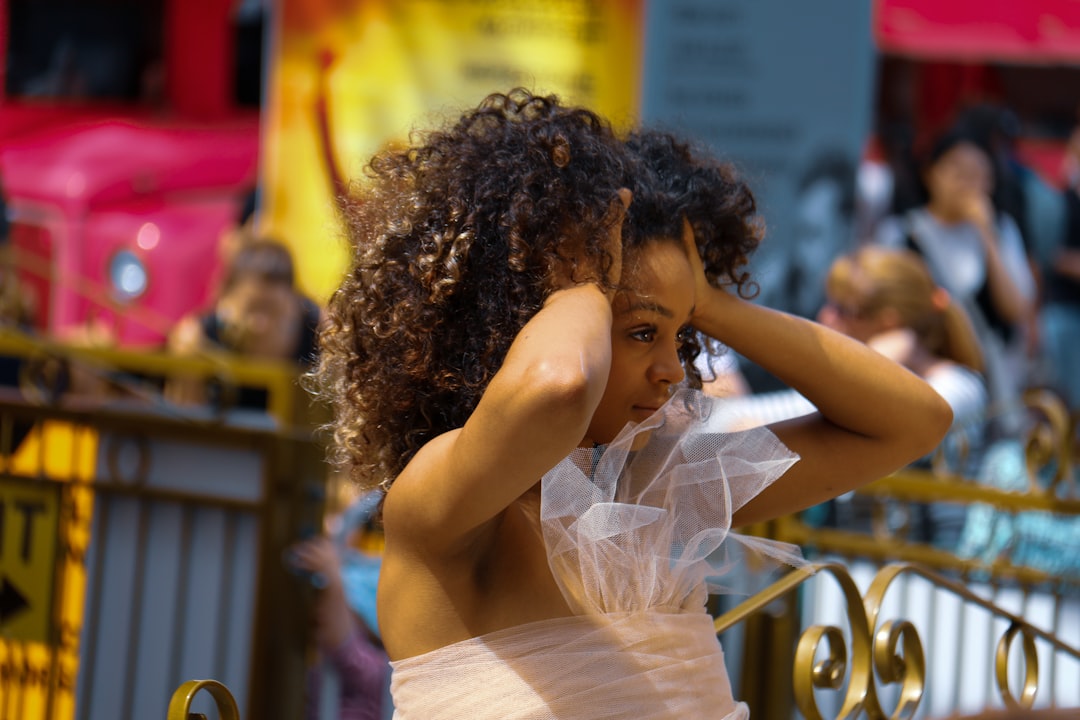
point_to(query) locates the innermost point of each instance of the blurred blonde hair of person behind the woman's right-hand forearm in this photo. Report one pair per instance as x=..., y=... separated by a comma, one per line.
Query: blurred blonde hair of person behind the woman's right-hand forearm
x=876, y=279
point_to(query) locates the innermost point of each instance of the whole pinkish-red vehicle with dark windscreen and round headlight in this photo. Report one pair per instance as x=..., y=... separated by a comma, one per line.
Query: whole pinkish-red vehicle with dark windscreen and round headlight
x=129, y=139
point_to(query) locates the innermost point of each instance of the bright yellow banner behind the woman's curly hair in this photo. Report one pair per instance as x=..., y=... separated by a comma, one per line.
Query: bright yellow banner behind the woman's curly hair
x=383, y=67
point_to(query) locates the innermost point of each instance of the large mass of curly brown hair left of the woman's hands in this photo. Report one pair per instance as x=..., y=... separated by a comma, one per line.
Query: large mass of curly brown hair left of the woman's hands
x=457, y=240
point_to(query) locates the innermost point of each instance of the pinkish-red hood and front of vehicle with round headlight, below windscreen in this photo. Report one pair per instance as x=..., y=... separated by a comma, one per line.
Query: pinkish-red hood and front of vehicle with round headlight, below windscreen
x=118, y=221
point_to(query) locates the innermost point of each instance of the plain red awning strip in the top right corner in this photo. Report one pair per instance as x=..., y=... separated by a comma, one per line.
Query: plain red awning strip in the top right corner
x=980, y=31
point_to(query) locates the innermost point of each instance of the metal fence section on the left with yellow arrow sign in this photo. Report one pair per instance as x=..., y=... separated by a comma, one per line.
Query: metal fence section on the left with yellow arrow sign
x=141, y=544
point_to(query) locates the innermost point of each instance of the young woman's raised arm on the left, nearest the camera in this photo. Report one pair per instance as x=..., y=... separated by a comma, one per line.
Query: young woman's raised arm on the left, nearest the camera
x=534, y=413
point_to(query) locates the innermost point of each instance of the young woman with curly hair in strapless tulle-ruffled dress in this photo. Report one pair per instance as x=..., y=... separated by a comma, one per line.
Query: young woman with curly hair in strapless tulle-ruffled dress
x=512, y=369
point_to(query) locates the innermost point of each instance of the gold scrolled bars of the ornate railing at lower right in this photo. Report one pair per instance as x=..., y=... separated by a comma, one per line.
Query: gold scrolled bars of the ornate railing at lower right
x=888, y=654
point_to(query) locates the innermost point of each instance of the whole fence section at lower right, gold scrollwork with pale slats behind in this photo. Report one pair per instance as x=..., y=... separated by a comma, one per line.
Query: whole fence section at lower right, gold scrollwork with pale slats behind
x=903, y=623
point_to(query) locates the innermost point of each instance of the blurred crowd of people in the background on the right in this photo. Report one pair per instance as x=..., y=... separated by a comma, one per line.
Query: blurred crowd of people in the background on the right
x=964, y=266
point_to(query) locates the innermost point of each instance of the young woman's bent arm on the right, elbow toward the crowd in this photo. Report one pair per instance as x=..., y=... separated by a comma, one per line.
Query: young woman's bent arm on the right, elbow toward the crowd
x=874, y=415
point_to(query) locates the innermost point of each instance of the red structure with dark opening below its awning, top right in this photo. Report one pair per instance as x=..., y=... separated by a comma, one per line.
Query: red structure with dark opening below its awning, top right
x=942, y=57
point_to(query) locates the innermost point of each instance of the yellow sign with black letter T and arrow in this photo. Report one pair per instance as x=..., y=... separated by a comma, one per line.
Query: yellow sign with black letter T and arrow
x=30, y=513
